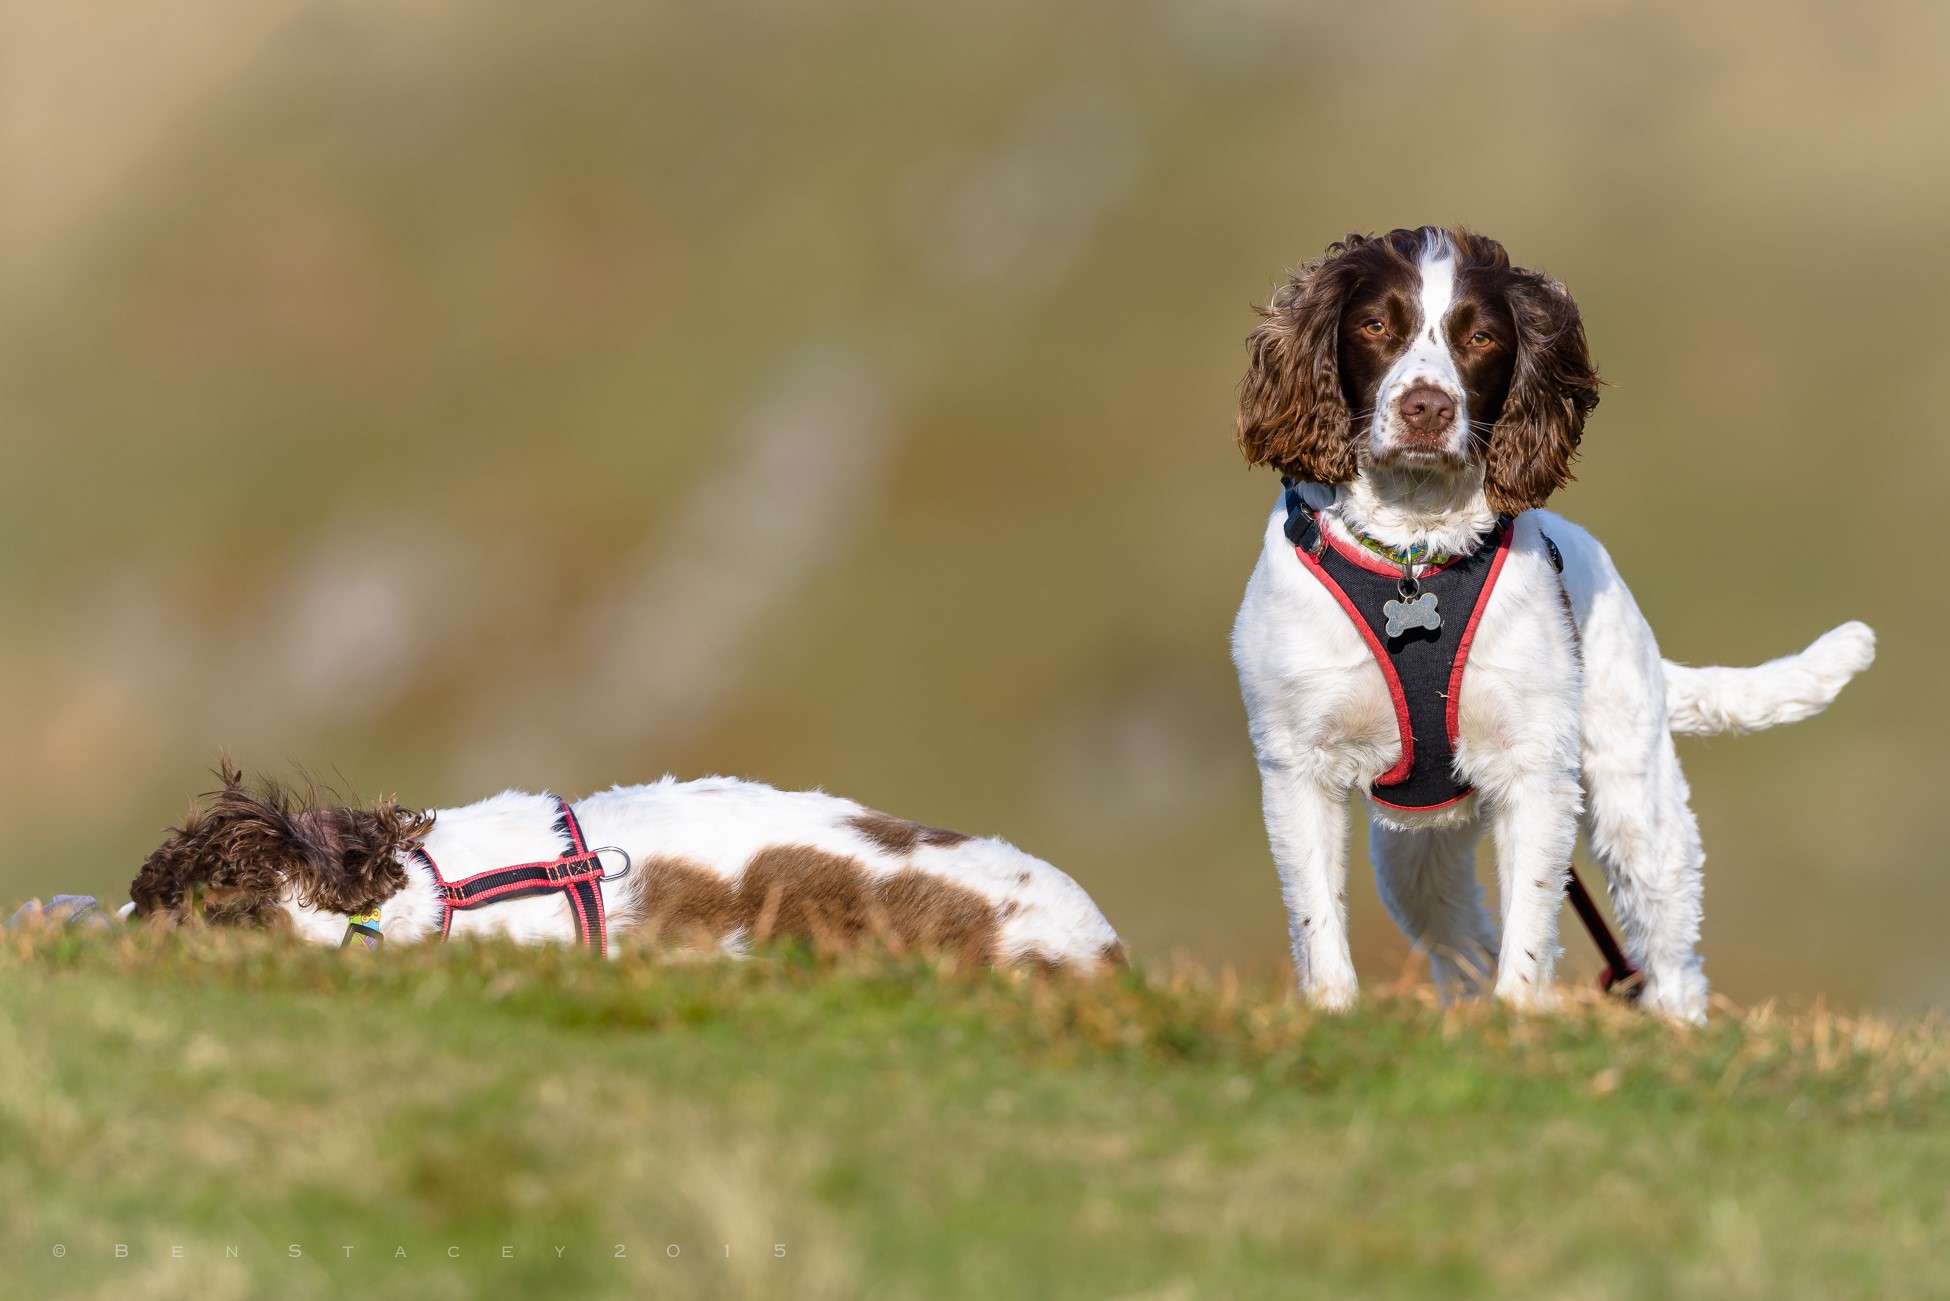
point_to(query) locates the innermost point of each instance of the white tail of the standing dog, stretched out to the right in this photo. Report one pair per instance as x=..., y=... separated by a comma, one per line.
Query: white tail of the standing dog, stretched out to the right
x=1779, y=691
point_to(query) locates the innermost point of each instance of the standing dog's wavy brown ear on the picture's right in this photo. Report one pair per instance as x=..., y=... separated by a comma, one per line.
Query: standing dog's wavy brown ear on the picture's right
x=1551, y=391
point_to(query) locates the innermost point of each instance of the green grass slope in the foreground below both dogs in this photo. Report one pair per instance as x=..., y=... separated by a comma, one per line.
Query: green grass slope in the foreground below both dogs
x=912, y=1132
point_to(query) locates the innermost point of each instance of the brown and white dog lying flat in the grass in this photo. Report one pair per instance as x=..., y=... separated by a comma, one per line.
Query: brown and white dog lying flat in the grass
x=719, y=861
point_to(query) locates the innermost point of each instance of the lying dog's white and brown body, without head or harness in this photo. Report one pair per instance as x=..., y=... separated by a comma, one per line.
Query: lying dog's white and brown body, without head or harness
x=730, y=863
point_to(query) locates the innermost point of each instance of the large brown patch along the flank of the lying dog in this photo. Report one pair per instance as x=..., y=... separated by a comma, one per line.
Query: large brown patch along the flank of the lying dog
x=830, y=900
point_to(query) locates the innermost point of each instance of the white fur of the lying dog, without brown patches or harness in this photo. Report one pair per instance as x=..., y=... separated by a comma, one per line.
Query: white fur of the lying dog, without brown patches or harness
x=717, y=824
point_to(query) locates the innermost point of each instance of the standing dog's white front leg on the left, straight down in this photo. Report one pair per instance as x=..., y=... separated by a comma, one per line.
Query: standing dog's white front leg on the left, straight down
x=1307, y=826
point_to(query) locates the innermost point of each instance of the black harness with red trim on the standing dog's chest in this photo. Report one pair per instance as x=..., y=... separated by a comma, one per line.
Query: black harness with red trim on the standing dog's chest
x=1423, y=666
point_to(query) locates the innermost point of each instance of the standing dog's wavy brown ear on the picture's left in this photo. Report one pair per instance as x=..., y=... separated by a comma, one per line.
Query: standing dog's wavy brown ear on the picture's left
x=1292, y=413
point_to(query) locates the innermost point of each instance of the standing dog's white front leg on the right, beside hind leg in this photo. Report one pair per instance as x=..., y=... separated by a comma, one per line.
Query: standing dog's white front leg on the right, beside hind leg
x=1536, y=828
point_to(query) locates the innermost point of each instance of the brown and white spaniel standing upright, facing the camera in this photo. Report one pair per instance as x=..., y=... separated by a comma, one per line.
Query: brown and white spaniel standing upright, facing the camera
x=1424, y=399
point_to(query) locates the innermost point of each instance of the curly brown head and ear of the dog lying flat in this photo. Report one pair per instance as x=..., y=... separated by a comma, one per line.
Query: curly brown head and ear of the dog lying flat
x=235, y=861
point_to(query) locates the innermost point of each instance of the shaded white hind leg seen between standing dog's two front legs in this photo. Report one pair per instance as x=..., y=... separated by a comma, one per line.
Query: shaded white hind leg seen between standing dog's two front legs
x=1428, y=883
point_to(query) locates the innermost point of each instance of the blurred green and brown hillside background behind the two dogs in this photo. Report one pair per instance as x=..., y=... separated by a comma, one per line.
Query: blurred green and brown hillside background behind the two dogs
x=451, y=397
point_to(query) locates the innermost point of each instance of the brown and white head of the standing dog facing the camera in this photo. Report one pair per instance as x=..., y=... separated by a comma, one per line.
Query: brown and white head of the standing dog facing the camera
x=1421, y=350
